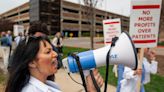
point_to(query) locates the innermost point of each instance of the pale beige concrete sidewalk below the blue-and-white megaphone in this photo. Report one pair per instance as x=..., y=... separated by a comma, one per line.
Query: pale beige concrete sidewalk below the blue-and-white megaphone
x=68, y=85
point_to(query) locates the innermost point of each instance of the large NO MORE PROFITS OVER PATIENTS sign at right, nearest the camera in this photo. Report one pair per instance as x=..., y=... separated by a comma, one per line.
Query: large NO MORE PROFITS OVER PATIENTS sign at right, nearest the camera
x=144, y=22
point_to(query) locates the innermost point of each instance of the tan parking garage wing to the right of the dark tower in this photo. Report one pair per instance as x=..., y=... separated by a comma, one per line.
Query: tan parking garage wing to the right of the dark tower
x=74, y=19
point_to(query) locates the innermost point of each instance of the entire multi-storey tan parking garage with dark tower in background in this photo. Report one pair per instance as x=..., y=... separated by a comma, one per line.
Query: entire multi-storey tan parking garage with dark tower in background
x=69, y=18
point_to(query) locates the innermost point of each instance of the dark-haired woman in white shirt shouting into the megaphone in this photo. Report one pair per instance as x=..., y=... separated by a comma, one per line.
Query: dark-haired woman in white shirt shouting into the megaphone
x=33, y=61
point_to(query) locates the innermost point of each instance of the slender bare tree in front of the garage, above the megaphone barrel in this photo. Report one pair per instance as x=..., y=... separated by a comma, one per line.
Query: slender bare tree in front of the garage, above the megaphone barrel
x=90, y=12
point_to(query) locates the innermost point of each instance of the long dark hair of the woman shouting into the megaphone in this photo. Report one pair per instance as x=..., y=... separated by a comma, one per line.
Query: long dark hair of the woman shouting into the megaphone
x=25, y=52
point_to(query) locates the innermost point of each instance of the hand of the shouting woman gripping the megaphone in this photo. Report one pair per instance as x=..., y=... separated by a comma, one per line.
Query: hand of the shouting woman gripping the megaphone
x=98, y=78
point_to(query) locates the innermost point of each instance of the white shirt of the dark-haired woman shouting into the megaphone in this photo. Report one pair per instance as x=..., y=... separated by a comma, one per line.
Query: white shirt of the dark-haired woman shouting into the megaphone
x=36, y=85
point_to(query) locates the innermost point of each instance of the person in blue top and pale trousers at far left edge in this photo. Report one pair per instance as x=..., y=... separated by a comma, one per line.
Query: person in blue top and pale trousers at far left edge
x=5, y=48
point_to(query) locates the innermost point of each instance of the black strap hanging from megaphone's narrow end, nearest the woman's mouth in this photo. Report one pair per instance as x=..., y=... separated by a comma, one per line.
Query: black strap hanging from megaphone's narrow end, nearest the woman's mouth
x=80, y=70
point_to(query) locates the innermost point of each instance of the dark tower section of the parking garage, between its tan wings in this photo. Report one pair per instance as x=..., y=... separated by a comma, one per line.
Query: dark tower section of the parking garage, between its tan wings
x=47, y=11
